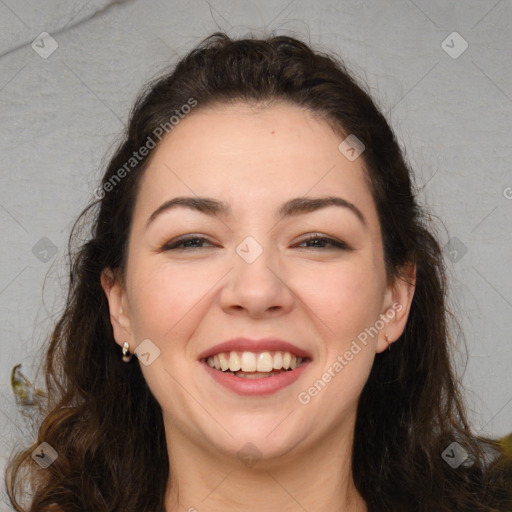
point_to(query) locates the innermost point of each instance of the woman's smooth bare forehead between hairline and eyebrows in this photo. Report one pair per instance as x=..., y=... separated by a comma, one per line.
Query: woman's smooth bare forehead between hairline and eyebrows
x=252, y=157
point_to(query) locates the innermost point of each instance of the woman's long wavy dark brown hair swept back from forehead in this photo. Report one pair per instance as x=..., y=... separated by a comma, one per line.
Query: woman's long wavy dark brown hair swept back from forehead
x=101, y=417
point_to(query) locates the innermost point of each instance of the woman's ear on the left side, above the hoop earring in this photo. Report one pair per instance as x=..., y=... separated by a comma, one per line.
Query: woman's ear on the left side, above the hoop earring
x=118, y=306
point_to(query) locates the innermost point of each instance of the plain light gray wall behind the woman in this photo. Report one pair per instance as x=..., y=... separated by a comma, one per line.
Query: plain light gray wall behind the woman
x=60, y=115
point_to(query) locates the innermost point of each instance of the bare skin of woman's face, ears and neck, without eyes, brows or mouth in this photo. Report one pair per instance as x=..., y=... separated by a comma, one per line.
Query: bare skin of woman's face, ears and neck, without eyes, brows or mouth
x=318, y=297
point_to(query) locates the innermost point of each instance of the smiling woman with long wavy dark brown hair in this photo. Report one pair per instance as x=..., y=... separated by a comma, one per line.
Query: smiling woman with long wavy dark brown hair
x=258, y=245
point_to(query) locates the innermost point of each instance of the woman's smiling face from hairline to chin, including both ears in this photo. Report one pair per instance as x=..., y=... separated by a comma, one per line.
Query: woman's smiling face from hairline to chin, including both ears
x=312, y=276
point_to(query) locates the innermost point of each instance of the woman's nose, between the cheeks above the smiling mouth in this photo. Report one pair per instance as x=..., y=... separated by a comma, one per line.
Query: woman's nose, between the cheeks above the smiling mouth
x=257, y=288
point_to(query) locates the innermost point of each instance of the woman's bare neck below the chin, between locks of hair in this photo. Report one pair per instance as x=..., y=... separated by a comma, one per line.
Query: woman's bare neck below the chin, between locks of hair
x=315, y=478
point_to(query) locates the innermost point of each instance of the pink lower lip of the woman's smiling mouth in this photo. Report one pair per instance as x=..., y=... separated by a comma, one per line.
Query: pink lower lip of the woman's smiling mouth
x=256, y=387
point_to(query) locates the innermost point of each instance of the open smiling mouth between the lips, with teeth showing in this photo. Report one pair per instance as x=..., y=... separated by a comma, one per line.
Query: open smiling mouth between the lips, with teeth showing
x=255, y=365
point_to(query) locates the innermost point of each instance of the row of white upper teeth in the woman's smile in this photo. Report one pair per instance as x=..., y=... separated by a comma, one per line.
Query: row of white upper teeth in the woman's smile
x=263, y=362
